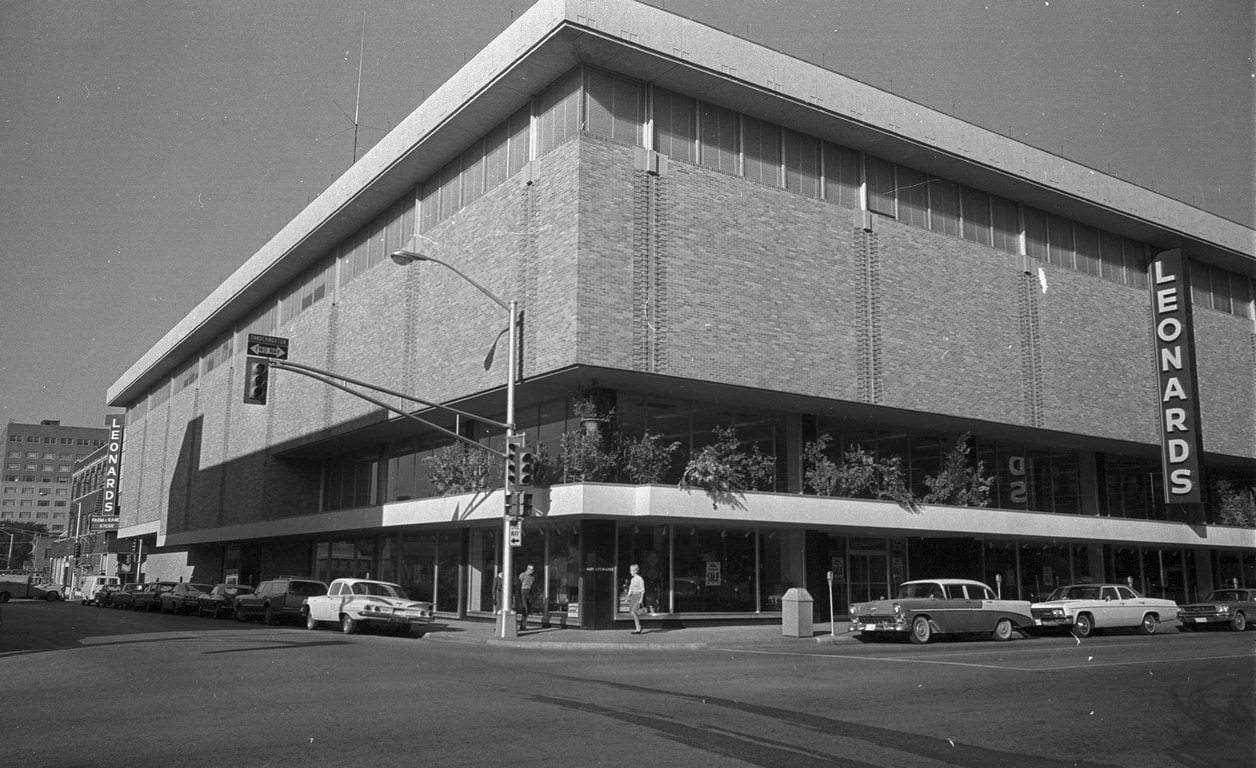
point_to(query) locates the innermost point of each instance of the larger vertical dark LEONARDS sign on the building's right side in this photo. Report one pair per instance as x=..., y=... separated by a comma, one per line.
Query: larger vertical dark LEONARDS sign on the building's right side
x=1175, y=365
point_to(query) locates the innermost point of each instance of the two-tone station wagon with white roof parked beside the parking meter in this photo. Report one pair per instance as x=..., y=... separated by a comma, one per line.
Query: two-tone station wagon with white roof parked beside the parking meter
x=941, y=606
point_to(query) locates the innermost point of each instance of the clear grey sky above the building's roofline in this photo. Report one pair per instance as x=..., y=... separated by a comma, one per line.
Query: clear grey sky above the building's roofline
x=149, y=148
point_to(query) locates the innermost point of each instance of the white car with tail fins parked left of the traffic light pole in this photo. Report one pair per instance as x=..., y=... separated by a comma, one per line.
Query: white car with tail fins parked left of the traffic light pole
x=361, y=603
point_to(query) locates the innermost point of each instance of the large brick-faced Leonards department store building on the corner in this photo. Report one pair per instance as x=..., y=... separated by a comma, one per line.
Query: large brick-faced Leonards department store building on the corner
x=705, y=233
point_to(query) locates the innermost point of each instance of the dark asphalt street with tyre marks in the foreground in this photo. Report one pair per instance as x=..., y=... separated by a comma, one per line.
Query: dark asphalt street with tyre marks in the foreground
x=91, y=687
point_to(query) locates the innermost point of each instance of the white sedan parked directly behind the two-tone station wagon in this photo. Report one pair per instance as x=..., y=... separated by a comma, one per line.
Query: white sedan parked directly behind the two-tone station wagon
x=1090, y=609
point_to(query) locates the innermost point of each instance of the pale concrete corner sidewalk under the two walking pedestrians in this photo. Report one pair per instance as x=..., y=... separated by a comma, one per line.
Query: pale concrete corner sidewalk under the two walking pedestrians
x=658, y=635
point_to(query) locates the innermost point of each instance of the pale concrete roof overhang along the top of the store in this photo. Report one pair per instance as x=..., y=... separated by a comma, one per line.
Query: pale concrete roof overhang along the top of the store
x=684, y=56
